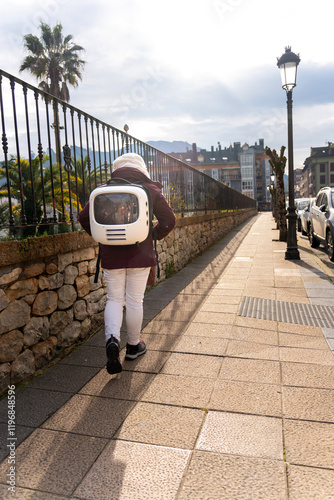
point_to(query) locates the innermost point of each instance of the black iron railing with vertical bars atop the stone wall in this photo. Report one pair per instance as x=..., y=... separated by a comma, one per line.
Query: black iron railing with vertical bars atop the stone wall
x=54, y=154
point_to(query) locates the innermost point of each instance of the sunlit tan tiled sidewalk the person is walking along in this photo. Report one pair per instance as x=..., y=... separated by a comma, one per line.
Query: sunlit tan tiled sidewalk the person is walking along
x=224, y=405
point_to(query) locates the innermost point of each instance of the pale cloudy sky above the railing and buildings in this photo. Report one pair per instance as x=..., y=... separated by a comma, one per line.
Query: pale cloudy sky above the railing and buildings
x=192, y=70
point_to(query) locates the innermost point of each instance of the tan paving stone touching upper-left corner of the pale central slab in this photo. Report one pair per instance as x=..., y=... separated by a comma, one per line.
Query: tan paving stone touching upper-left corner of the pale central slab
x=179, y=390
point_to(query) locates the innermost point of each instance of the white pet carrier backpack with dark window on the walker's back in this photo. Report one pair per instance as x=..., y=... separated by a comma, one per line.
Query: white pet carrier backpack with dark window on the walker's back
x=120, y=213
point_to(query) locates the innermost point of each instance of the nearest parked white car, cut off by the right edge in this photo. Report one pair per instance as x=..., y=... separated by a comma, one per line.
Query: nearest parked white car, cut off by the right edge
x=322, y=221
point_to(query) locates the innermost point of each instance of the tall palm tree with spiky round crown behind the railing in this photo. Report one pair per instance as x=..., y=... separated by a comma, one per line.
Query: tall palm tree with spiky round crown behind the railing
x=55, y=62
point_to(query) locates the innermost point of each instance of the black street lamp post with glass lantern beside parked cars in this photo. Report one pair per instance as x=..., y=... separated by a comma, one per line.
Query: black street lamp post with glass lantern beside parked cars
x=287, y=64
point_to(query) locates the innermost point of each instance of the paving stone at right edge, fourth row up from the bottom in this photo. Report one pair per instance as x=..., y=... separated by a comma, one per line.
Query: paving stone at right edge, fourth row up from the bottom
x=308, y=375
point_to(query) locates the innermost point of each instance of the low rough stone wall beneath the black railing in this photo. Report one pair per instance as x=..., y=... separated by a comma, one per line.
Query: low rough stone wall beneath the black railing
x=48, y=298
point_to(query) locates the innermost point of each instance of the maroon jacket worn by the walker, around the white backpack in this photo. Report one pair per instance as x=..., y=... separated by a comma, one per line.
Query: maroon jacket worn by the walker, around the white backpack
x=142, y=255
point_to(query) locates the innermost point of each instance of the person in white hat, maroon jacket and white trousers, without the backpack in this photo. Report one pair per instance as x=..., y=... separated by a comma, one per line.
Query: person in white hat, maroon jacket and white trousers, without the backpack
x=126, y=267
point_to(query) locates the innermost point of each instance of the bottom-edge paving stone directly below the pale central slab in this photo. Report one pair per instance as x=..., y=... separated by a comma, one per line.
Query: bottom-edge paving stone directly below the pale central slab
x=224, y=477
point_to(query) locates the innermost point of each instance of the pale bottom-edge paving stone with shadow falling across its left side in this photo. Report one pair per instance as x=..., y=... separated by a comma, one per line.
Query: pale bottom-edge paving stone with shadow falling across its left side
x=134, y=470
